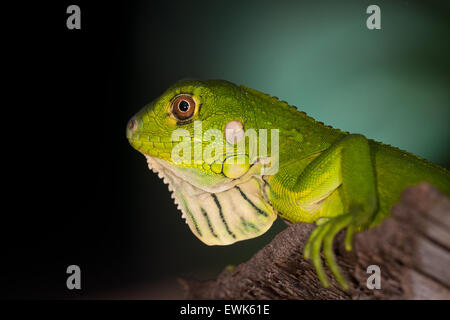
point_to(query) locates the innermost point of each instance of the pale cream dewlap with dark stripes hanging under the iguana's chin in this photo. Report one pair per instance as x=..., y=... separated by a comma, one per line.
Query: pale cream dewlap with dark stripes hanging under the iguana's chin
x=223, y=212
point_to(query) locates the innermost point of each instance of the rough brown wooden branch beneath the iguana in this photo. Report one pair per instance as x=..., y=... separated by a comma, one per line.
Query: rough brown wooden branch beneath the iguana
x=412, y=249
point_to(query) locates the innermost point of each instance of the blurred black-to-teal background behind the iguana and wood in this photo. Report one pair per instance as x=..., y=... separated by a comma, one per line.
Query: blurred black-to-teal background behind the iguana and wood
x=77, y=193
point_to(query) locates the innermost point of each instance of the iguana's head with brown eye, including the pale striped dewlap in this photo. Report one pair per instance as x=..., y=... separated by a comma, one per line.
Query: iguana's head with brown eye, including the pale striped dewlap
x=196, y=136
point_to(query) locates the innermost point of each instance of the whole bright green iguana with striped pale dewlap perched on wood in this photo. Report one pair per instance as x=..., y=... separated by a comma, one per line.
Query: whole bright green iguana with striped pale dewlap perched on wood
x=335, y=179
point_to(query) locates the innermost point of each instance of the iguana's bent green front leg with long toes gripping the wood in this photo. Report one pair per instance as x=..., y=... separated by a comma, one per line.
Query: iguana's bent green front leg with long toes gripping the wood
x=348, y=165
